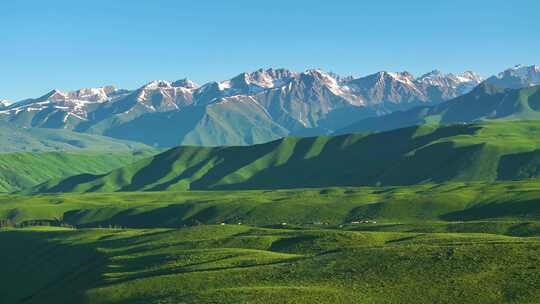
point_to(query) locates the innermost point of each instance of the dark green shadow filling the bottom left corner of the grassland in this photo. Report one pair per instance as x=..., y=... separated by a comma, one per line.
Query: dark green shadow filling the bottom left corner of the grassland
x=47, y=270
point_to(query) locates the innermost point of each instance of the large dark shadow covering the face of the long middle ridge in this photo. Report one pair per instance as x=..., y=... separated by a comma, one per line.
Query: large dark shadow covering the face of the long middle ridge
x=354, y=160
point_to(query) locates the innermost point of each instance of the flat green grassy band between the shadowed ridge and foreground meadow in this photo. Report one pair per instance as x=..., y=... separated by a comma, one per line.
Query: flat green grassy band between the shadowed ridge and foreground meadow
x=448, y=202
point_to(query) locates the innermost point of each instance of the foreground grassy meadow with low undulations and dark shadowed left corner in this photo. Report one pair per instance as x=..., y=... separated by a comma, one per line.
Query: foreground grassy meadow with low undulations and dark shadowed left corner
x=242, y=264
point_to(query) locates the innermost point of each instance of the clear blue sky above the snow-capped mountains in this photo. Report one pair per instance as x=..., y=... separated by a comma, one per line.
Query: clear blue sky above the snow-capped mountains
x=72, y=44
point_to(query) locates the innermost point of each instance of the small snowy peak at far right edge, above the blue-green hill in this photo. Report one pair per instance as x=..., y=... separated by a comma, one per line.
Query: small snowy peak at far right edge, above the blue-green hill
x=517, y=77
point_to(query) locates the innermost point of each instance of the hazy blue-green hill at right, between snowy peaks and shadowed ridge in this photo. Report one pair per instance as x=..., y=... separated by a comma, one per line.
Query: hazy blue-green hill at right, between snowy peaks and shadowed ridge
x=486, y=102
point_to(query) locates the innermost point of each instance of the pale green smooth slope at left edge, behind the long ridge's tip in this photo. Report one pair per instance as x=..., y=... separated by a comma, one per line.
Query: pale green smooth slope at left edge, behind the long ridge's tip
x=25, y=169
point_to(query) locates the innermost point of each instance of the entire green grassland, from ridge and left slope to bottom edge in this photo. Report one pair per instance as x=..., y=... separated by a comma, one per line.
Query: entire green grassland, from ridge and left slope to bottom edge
x=444, y=214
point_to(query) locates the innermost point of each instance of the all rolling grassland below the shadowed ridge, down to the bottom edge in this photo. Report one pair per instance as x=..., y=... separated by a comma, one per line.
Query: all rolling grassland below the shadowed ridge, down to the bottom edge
x=431, y=243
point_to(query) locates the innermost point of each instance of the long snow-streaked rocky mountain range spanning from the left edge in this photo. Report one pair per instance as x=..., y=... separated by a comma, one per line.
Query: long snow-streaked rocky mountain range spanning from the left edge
x=249, y=108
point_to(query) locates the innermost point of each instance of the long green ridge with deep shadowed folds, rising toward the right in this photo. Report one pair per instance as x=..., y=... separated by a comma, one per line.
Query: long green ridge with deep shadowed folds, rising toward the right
x=419, y=154
